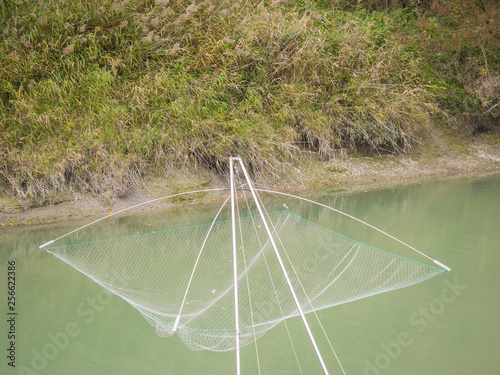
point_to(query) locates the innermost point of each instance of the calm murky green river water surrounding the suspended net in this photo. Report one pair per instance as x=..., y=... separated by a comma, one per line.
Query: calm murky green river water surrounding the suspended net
x=66, y=324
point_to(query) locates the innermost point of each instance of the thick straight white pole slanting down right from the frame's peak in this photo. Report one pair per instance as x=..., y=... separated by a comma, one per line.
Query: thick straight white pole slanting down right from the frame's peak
x=283, y=269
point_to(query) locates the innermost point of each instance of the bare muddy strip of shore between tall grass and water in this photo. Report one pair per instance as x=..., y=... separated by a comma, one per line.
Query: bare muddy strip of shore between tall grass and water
x=437, y=159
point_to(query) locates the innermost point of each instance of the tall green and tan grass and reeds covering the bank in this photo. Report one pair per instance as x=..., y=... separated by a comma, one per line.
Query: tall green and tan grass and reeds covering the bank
x=97, y=95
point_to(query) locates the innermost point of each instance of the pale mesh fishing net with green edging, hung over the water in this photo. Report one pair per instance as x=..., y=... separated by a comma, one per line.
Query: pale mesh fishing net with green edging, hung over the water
x=152, y=271
